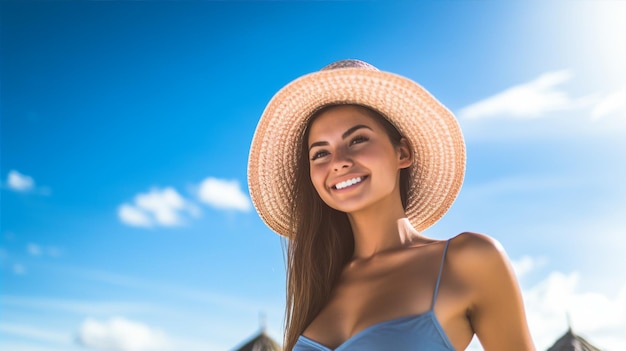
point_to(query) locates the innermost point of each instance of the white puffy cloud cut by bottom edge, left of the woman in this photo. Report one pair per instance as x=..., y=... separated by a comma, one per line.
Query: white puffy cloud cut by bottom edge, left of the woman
x=120, y=334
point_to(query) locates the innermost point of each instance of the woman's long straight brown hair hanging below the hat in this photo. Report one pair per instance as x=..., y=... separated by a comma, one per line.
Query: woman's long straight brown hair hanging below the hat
x=321, y=240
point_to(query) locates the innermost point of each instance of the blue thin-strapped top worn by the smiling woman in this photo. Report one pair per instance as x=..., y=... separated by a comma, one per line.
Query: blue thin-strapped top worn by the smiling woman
x=420, y=332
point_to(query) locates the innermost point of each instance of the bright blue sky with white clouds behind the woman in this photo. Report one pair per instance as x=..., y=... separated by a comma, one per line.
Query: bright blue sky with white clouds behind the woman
x=125, y=128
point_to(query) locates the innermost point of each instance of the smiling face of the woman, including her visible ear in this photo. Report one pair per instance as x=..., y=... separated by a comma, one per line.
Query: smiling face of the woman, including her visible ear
x=353, y=163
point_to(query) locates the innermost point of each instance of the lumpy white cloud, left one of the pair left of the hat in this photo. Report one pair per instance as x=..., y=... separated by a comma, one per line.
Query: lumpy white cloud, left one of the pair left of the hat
x=165, y=207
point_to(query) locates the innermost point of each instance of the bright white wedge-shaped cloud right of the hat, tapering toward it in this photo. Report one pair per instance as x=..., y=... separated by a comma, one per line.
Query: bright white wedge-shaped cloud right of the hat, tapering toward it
x=528, y=100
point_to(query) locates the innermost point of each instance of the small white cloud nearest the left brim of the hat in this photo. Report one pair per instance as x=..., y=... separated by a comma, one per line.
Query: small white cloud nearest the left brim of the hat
x=223, y=194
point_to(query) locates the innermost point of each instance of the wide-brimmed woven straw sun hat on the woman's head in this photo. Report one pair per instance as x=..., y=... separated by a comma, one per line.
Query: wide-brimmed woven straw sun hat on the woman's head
x=434, y=134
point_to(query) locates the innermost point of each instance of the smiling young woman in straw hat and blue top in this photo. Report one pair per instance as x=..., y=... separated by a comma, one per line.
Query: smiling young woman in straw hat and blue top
x=352, y=164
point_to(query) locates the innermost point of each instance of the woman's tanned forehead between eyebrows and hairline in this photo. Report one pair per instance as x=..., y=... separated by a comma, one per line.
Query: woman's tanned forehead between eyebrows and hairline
x=337, y=119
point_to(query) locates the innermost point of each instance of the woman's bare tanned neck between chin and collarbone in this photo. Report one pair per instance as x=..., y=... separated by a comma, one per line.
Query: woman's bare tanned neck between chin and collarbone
x=381, y=228
